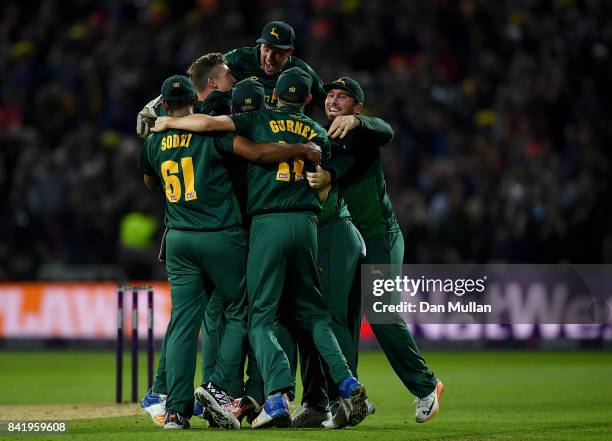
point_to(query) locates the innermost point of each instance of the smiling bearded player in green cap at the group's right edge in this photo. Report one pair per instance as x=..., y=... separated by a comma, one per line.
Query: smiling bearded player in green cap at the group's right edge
x=364, y=191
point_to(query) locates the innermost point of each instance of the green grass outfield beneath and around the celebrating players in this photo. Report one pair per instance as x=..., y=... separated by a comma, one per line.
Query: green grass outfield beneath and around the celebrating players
x=488, y=395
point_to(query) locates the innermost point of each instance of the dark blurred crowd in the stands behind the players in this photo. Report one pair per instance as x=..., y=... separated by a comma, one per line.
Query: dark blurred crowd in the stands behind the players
x=502, y=113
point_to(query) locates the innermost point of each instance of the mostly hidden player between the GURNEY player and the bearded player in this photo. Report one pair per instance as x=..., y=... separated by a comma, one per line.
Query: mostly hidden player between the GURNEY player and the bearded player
x=341, y=250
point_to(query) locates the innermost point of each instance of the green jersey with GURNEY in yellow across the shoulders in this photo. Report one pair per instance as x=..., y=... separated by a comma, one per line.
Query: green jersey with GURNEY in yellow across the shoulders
x=282, y=186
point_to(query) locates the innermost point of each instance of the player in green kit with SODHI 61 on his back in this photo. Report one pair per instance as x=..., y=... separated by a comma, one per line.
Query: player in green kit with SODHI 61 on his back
x=206, y=250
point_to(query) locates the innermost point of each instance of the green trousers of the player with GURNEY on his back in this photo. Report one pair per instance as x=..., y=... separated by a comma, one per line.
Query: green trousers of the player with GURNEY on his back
x=281, y=268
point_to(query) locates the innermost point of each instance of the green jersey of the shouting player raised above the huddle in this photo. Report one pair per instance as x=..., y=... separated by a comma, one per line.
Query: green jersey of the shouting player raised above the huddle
x=245, y=63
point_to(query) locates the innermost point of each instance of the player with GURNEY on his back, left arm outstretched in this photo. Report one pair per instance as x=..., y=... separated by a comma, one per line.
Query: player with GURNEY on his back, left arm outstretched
x=283, y=248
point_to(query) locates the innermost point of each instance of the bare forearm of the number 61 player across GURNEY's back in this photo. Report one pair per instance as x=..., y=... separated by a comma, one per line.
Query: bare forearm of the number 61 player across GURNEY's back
x=275, y=152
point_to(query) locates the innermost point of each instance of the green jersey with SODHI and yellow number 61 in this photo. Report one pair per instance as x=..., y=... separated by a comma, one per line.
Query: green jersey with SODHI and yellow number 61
x=196, y=184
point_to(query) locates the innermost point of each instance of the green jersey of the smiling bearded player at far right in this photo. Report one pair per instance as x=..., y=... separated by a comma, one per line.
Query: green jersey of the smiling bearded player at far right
x=363, y=187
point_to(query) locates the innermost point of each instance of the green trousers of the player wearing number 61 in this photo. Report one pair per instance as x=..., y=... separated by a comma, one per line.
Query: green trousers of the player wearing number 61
x=198, y=263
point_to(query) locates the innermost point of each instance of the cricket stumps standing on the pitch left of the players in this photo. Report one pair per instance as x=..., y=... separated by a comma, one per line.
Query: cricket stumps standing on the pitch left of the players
x=134, y=343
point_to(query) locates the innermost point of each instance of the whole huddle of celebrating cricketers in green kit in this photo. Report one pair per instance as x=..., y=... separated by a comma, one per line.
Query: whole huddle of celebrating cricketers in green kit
x=268, y=219
